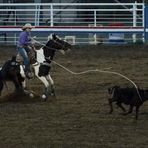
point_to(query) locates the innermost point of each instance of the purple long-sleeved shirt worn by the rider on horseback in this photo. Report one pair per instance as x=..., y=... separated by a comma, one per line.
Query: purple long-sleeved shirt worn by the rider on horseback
x=24, y=39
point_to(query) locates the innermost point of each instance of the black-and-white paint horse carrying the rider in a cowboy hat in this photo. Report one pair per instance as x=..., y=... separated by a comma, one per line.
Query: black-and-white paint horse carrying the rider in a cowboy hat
x=40, y=64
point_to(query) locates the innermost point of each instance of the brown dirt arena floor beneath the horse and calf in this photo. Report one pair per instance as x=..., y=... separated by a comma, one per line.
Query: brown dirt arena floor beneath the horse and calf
x=78, y=116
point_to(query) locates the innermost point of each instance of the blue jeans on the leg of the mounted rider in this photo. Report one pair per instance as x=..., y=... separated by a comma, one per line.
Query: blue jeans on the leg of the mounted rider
x=24, y=54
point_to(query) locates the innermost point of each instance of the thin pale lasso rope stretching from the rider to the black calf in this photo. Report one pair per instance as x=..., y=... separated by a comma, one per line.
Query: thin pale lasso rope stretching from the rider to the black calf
x=95, y=70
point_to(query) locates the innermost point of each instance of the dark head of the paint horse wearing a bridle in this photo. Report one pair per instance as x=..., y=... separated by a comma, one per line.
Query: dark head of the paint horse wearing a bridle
x=57, y=44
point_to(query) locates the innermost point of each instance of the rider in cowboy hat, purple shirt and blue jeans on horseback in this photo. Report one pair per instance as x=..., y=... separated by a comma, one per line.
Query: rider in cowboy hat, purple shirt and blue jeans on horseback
x=24, y=46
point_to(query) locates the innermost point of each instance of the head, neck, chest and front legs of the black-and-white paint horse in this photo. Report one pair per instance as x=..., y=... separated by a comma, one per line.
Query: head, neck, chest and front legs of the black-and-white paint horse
x=42, y=63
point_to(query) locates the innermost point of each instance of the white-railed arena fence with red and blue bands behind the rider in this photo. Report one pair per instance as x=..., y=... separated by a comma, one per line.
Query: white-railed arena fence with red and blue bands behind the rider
x=79, y=23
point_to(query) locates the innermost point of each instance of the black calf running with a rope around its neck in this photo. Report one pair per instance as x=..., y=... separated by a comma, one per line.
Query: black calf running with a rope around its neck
x=128, y=96
